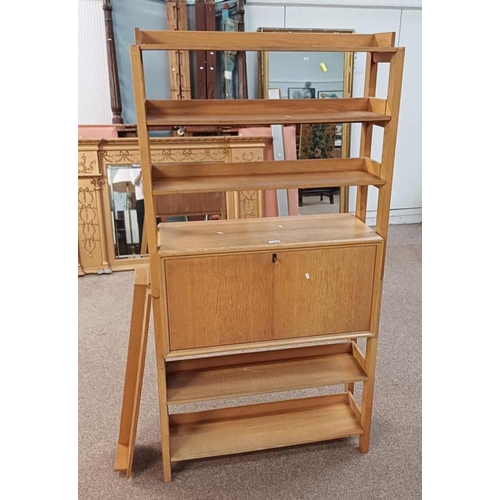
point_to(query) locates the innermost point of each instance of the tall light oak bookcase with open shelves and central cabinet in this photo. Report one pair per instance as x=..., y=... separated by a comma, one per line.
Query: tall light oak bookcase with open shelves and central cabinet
x=253, y=306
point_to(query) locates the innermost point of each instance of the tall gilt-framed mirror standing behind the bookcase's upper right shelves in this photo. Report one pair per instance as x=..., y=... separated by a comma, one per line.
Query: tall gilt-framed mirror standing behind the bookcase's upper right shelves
x=315, y=75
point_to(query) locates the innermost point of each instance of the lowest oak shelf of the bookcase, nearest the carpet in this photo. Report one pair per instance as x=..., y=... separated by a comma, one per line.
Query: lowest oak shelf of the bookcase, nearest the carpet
x=259, y=427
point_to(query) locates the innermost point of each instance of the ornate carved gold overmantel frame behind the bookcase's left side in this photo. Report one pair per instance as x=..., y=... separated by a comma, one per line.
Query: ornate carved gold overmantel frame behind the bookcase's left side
x=96, y=252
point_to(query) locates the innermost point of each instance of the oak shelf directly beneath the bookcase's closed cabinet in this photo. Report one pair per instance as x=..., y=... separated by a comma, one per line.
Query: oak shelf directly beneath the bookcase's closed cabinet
x=265, y=372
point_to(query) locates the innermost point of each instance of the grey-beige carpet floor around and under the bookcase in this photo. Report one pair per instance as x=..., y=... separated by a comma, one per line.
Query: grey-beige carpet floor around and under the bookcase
x=331, y=470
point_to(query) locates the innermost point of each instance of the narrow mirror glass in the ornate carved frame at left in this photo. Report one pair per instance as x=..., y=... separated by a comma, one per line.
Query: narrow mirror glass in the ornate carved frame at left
x=127, y=209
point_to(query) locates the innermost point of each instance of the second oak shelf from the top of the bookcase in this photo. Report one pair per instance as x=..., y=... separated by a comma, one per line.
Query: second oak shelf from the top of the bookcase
x=265, y=111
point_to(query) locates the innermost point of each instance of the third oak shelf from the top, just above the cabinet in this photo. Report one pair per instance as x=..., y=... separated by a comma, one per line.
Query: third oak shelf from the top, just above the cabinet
x=288, y=174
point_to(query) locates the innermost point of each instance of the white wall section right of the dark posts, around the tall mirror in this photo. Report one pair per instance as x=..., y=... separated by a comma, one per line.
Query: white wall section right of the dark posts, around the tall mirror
x=406, y=203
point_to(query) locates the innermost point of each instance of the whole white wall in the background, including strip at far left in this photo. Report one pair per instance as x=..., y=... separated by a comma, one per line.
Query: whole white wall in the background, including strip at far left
x=404, y=17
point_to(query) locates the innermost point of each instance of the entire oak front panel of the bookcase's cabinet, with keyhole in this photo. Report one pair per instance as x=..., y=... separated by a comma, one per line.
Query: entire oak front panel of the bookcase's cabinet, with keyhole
x=296, y=294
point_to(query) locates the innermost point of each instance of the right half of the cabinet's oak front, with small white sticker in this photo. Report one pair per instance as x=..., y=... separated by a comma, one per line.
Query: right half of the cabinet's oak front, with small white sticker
x=323, y=291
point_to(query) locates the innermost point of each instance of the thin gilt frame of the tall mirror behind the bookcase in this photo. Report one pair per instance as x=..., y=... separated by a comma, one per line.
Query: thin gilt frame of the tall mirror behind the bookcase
x=263, y=88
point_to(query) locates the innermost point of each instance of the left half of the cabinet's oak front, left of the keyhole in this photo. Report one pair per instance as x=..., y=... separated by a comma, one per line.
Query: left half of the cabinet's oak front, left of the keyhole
x=219, y=300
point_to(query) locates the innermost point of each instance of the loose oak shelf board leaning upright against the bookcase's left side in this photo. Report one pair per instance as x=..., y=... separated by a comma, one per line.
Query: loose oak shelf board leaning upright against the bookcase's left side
x=134, y=371
